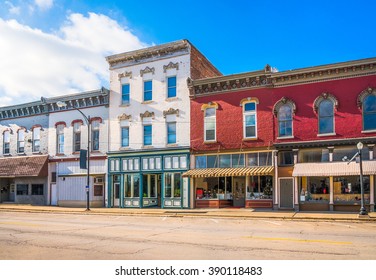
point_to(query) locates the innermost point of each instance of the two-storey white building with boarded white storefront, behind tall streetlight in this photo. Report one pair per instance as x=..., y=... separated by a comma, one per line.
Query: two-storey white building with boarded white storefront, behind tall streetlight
x=70, y=117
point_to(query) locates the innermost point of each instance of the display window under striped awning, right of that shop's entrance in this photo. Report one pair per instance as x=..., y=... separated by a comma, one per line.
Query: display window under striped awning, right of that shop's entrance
x=261, y=187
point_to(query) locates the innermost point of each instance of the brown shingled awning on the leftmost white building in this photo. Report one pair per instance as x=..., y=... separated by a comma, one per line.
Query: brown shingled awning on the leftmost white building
x=32, y=166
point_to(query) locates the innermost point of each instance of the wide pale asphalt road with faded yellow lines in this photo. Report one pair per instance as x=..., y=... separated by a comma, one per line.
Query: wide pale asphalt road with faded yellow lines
x=47, y=236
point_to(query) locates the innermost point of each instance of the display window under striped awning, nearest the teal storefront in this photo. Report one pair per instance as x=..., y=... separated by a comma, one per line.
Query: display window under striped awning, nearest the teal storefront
x=214, y=188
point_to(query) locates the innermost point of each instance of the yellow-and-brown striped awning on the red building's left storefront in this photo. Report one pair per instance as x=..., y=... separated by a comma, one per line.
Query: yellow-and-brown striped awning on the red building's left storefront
x=228, y=172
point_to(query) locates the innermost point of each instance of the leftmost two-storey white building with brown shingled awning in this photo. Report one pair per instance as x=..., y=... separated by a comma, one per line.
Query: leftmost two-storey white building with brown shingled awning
x=24, y=154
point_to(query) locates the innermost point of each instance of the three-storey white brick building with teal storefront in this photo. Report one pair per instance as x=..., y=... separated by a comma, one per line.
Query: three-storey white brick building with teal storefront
x=150, y=124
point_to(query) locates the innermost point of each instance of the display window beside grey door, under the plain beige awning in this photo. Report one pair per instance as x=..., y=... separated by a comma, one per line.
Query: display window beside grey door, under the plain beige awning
x=315, y=189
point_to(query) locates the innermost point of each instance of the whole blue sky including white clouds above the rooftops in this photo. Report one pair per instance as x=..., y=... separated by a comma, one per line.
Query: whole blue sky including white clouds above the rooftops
x=57, y=47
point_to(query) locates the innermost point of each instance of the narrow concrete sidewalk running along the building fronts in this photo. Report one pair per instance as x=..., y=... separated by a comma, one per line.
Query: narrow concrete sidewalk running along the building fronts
x=243, y=213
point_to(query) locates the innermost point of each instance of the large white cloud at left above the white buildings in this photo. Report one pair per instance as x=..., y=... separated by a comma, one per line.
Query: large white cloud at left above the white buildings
x=35, y=63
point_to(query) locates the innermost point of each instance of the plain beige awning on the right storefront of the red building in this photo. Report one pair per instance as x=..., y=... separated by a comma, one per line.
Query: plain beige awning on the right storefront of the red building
x=327, y=169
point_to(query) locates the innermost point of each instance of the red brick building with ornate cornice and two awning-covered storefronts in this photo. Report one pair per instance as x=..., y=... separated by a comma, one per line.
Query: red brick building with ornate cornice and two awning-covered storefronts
x=277, y=139
